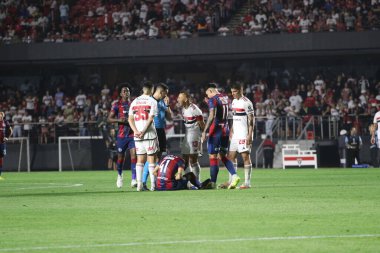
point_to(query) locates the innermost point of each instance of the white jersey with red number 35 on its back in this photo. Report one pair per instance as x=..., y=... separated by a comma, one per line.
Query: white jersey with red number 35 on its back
x=141, y=108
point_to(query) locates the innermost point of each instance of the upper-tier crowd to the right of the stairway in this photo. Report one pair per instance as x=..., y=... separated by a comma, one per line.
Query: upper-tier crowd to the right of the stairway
x=310, y=16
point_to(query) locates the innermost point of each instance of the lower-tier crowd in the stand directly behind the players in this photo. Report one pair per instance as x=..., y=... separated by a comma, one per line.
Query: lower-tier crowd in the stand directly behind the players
x=345, y=98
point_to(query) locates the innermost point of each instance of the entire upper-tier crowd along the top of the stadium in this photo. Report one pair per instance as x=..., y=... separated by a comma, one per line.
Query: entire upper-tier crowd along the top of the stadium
x=101, y=20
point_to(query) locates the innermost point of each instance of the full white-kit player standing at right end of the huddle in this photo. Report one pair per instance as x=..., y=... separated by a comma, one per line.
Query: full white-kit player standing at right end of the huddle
x=242, y=132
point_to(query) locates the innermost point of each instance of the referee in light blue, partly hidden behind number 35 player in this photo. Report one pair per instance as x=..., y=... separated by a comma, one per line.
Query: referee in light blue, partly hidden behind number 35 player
x=160, y=95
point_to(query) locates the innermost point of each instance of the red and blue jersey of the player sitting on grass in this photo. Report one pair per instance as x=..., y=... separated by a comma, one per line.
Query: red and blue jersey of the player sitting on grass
x=169, y=166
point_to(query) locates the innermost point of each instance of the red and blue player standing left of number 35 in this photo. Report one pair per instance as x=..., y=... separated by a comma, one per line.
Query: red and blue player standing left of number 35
x=124, y=140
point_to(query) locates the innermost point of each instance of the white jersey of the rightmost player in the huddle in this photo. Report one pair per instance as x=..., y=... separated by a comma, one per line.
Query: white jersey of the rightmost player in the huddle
x=241, y=108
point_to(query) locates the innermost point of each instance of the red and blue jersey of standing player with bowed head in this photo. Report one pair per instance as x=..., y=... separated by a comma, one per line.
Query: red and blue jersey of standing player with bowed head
x=220, y=103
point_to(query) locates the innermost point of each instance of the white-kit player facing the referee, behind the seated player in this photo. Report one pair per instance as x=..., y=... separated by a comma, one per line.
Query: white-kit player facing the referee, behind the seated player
x=194, y=123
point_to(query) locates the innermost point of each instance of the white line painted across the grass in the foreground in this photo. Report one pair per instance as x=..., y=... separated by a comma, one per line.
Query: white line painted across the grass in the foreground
x=130, y=244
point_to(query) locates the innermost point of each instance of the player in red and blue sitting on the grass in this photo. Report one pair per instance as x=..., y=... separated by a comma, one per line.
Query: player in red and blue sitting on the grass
x=170, y=174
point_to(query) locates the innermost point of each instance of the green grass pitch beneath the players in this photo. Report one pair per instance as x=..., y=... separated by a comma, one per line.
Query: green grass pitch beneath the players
x=325, y=210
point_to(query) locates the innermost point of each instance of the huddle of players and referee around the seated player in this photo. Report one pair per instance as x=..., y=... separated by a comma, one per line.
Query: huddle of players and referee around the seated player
x=141, y=131
